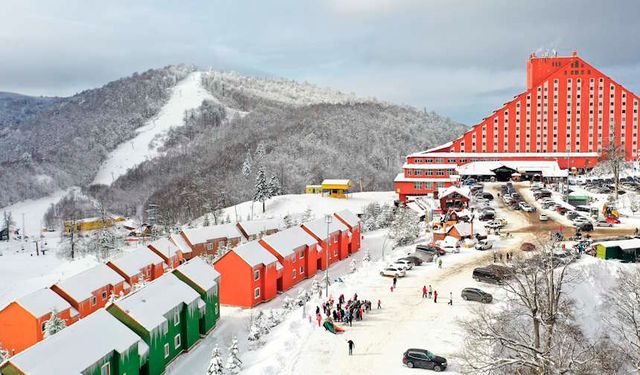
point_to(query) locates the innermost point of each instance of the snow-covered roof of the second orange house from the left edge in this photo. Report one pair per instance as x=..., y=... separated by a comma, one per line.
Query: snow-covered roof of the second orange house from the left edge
x=80, y=286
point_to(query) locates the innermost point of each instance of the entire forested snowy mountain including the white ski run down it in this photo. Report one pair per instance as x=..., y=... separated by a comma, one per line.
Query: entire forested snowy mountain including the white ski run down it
x=180, y=136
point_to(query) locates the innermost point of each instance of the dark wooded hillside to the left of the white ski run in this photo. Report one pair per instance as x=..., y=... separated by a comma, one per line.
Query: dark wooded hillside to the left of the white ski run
x=52, y=144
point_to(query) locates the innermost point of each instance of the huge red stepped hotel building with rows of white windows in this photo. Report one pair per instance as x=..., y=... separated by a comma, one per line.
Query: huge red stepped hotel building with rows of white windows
x=568, y=114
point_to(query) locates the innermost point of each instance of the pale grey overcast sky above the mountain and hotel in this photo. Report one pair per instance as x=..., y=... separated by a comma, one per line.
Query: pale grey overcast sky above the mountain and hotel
x=459, y=58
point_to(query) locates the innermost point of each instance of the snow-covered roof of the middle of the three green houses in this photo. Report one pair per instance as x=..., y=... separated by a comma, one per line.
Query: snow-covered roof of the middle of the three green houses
x=148, y=305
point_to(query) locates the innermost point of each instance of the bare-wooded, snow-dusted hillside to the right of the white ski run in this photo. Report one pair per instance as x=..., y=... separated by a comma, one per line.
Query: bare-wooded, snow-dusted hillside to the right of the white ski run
x=307, y=134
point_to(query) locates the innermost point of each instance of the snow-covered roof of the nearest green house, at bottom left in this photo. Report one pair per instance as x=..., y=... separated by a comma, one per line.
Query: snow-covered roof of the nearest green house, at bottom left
x=77, y=347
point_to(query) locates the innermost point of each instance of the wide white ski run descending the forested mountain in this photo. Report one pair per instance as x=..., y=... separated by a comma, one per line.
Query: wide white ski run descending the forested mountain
x=187, y=94
